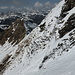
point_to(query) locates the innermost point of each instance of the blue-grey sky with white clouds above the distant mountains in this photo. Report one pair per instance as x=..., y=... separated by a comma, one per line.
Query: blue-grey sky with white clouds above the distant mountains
x=6, y=5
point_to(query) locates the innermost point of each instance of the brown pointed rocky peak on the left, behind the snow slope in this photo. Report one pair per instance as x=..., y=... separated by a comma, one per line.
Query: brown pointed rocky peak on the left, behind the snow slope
x=14, y=34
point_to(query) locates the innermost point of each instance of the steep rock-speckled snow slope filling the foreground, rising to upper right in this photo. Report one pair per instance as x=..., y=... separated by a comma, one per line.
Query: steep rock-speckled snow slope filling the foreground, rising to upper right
x=43, y=52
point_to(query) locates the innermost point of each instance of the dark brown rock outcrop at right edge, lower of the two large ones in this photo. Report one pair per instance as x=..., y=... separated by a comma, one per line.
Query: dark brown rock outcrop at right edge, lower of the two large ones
x=69, y=25
